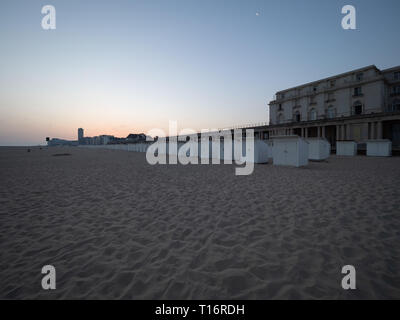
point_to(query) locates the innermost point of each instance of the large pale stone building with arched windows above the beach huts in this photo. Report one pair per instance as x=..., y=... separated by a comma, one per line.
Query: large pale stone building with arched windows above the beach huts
x=358, y=105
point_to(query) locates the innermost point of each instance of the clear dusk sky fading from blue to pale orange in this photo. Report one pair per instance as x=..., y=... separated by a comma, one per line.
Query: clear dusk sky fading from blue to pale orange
x=122, y=66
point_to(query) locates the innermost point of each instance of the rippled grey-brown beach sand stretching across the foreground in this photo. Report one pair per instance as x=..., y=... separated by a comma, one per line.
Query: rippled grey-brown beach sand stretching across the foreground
x=116, y=227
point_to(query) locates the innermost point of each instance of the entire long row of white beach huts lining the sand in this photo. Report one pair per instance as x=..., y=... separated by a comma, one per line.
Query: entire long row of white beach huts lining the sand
x=283, y=150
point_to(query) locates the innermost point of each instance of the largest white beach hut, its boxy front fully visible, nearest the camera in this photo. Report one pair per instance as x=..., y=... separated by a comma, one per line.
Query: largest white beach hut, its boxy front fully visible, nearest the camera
x=290, y=151
